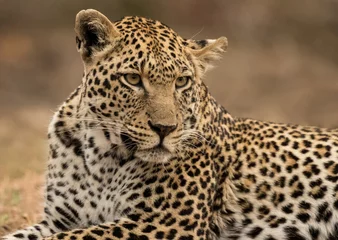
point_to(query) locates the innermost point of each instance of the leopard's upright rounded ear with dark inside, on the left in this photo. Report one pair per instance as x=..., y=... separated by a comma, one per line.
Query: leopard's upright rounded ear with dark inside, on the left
x=94, y=32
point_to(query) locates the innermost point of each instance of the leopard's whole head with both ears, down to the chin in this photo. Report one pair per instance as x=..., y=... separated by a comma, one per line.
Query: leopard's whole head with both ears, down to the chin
x=142, y=83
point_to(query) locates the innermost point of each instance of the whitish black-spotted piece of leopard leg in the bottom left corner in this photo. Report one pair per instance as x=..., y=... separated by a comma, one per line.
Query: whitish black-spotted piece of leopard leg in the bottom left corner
x=34, y=232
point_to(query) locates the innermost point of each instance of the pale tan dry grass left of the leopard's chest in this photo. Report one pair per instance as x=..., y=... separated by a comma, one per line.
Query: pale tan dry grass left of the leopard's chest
x=23, y=150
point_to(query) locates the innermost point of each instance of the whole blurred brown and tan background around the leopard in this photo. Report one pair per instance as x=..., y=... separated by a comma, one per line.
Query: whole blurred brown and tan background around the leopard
x=281, y=65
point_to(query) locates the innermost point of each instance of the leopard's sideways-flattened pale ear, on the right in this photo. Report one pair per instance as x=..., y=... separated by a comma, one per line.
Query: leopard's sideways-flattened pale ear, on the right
x=207, y=51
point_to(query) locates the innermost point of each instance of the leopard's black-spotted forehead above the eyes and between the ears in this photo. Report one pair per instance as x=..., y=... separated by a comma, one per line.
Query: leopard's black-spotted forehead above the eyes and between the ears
x=153, y=49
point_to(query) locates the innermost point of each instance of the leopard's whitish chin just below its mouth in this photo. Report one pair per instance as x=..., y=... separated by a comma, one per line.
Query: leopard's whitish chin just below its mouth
x=156, y=155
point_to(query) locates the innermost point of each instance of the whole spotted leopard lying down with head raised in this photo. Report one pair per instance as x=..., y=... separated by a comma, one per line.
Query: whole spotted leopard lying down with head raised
x=141, y=150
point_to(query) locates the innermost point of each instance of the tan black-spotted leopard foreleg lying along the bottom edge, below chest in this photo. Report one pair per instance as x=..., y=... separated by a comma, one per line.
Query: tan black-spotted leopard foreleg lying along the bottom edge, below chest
x=126, y=229
